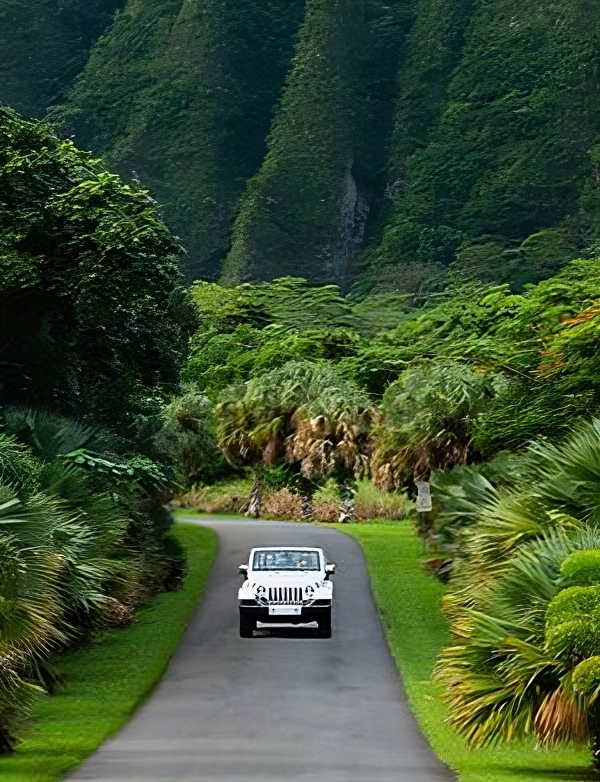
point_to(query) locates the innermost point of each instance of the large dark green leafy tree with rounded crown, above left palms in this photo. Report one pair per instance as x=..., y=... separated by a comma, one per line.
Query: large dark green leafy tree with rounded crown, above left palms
x=89, y=303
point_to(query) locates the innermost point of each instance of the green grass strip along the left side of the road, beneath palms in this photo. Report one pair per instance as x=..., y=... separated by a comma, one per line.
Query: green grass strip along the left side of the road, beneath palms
x=105, y=682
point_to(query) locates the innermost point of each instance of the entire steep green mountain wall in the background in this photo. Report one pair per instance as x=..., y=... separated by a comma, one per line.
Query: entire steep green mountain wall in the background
x=384, y=145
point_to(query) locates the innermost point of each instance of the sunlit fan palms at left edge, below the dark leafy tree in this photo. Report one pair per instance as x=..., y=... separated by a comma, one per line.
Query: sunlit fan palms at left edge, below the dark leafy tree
x=62, y=561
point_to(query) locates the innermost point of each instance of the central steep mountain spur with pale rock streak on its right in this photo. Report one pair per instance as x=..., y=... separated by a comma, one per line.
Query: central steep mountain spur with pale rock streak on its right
x=304, y=212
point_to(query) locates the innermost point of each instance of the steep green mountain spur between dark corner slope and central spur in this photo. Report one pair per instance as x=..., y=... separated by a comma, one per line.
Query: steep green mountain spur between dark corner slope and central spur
x=180, y=93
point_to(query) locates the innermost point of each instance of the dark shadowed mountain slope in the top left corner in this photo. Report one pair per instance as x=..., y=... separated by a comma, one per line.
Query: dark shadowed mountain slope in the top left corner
x=43, y=46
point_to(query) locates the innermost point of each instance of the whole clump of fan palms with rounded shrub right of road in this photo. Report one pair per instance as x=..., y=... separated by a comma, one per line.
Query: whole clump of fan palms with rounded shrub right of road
x=516, y=666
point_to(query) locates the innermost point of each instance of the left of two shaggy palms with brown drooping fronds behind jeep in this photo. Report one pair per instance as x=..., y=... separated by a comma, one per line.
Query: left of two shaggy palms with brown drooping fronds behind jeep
x=303, y=414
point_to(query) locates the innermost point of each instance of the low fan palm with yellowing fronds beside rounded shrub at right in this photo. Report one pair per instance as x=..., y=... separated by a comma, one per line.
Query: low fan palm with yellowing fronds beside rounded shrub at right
x=502, y=680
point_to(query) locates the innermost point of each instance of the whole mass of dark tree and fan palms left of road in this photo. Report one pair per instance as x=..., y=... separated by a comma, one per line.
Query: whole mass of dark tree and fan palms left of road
x=93, y=329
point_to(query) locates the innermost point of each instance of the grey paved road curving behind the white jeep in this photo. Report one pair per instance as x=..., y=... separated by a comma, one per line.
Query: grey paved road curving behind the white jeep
x=283, y=707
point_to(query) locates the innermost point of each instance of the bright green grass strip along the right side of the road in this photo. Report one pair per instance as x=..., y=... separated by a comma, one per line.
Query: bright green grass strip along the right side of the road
x=409, y=603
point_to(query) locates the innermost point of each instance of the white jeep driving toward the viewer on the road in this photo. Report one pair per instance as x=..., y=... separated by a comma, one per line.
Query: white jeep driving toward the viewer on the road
x=286, y=585
